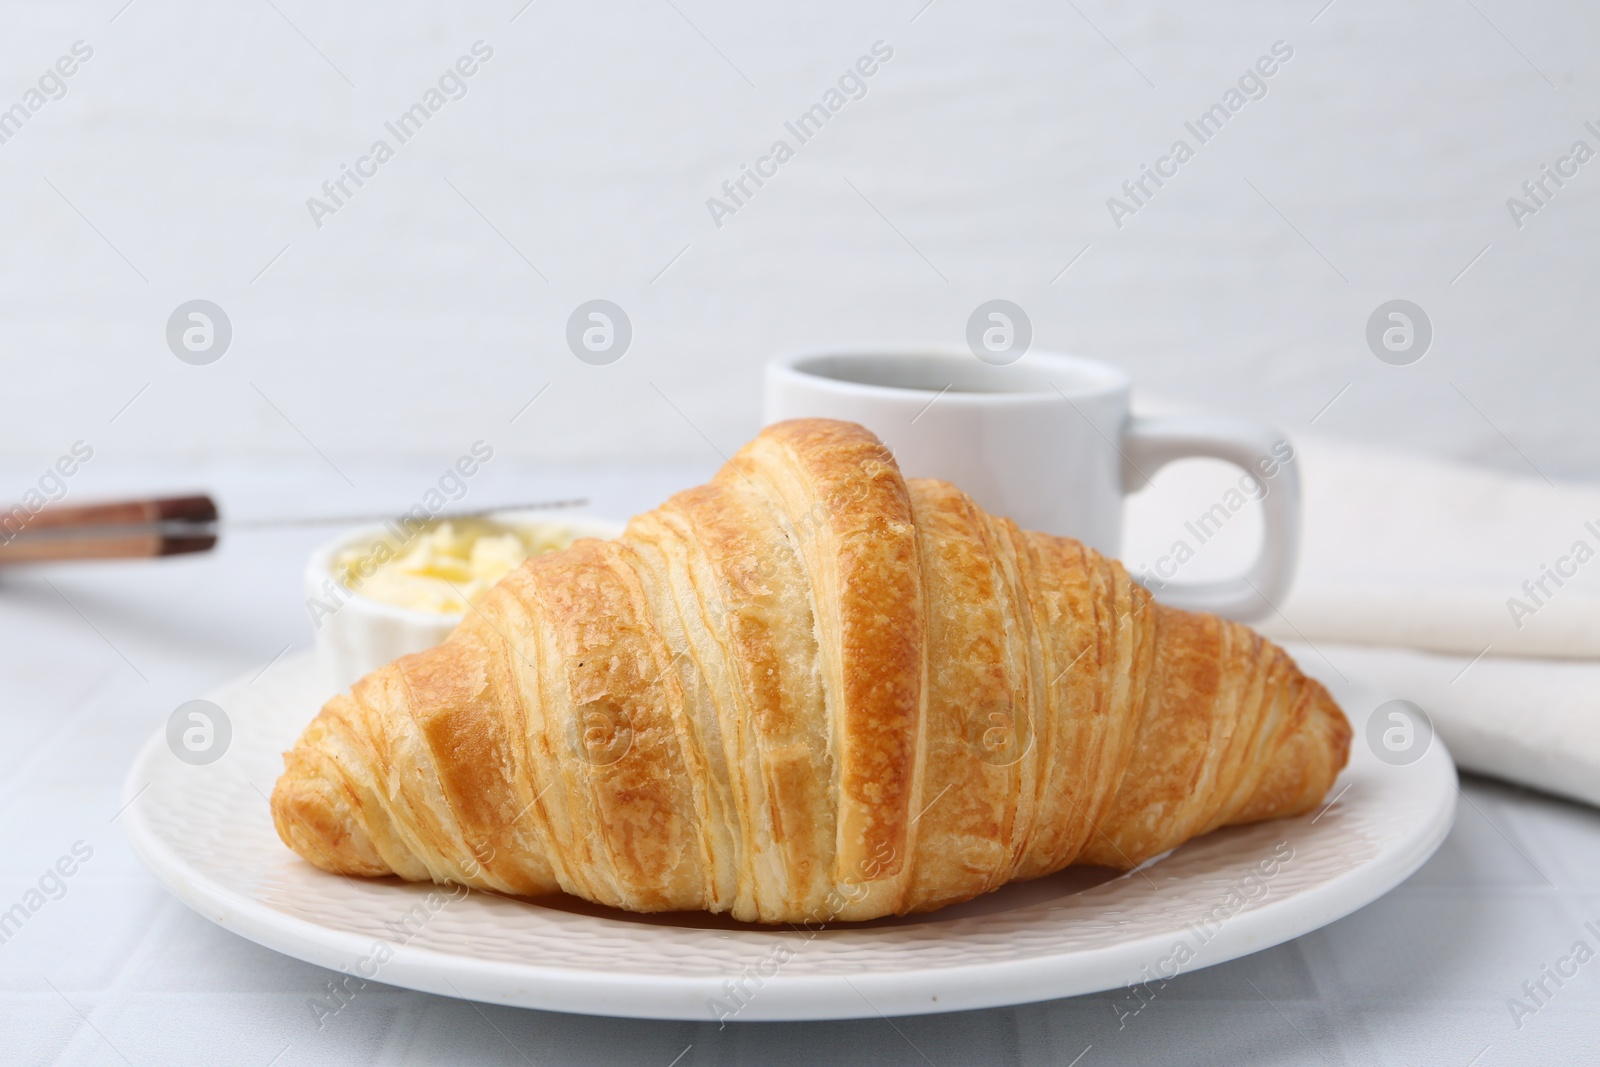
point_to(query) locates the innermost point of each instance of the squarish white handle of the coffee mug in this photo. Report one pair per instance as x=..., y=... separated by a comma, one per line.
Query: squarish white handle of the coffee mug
x=1150, y=444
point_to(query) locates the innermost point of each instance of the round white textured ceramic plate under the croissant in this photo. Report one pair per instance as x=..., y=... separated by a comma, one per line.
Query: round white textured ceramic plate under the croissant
x=206, y=831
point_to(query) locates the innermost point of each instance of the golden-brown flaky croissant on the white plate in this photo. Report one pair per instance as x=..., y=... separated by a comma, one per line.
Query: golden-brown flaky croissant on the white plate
x=807, y=692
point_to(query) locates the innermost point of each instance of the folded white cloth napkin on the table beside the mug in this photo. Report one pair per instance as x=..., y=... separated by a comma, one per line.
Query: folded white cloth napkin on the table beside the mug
x=1471, y=593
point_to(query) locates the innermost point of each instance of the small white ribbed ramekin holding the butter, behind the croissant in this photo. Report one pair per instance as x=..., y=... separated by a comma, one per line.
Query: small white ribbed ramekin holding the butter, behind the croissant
x=356, y=634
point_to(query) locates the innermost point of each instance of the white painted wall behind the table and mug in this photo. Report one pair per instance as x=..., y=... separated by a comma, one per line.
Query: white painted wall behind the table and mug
x=407, y=327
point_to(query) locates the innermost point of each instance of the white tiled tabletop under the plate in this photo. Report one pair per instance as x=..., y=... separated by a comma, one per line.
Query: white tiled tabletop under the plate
x=95, y=658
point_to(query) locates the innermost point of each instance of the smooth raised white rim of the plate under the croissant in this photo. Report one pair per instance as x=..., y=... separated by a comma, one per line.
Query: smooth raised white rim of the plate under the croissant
x=1049, y=975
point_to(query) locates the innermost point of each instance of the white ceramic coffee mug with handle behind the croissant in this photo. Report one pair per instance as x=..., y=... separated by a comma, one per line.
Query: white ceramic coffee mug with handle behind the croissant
x=1049, y=442
